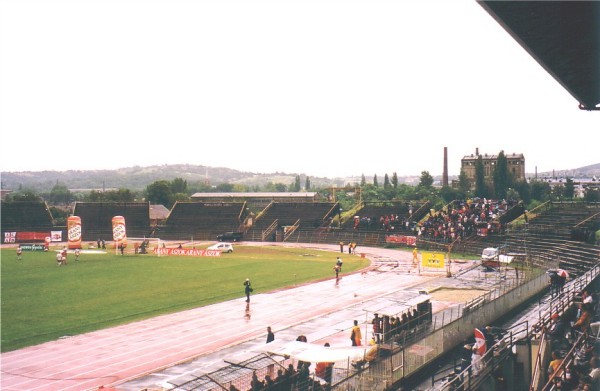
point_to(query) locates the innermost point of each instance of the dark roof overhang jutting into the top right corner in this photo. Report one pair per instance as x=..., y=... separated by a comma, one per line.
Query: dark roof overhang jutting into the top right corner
x=562, y=36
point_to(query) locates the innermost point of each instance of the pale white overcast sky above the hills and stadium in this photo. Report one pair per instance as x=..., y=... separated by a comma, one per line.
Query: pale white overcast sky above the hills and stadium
x=324, y=88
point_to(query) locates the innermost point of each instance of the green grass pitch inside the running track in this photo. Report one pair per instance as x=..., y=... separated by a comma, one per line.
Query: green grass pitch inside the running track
x=42, y=301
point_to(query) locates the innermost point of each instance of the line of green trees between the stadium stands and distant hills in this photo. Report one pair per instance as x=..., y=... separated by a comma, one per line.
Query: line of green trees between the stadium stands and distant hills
x=501, y=185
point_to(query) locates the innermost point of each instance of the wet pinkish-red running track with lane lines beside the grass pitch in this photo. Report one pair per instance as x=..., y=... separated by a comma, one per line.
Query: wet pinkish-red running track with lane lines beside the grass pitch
x=111, y=356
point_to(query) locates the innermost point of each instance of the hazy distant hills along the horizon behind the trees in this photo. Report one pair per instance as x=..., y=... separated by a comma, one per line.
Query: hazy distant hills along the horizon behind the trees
x=137, y=178
